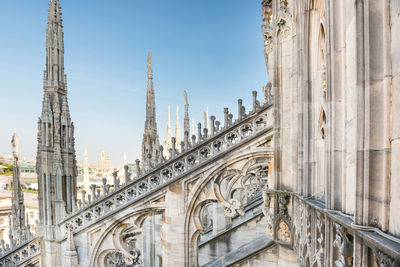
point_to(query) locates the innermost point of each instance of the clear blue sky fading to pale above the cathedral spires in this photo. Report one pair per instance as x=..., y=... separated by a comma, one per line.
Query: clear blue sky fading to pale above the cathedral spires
x=213, y=49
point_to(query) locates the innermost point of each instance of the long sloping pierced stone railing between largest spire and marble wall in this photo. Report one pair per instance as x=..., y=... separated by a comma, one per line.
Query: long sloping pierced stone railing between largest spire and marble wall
x=210, y=146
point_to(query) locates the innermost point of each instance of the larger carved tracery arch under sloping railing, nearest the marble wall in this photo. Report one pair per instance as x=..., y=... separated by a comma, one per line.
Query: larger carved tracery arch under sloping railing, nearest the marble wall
x=230, y=189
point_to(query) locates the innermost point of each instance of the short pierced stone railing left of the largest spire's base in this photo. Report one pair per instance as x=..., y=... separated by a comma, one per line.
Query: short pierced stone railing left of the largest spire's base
x=20, y=254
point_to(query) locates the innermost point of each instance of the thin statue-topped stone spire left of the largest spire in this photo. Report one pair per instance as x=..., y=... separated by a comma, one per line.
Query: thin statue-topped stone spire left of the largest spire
x=19, y=228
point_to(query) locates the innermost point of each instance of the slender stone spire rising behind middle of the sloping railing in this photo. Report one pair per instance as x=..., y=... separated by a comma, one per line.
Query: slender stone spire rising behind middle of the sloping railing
x=150, y=143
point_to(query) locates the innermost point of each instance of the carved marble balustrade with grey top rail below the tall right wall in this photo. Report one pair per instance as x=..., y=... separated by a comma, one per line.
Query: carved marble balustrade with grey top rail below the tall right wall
x=322, y=237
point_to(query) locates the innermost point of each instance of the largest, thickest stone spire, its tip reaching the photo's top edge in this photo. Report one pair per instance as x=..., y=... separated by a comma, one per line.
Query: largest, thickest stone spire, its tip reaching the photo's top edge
x=56, y=160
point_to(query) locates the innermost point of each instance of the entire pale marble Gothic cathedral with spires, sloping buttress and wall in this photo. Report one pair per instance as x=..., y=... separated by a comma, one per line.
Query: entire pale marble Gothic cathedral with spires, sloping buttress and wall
x=306, y=176
